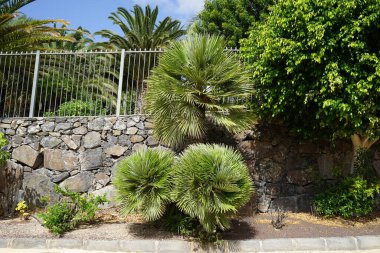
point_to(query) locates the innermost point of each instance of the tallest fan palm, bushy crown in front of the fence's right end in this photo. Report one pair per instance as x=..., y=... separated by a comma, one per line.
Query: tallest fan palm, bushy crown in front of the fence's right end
x=197, y=82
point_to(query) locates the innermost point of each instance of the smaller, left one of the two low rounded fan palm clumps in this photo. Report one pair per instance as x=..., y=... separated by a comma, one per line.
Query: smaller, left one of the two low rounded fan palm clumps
x=142, y=182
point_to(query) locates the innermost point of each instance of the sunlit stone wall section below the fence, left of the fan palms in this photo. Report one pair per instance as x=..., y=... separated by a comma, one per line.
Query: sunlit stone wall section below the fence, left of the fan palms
x=77, y=153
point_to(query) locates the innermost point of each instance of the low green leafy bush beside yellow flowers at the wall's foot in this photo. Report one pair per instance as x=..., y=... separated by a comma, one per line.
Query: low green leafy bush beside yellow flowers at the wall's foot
x=71, y=211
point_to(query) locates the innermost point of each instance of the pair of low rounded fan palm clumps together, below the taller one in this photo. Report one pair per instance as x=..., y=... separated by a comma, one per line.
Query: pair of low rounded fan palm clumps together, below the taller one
x=195, y=195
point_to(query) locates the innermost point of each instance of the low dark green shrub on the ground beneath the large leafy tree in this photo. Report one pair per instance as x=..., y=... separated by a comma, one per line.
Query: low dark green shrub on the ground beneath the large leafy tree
x=353, y=197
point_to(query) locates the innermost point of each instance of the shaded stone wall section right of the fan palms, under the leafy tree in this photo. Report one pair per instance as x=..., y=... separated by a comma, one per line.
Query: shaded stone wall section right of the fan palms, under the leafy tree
x=287, y=171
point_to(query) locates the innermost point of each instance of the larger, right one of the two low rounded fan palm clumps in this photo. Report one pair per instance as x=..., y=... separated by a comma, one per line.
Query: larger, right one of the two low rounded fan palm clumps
x=211, y=182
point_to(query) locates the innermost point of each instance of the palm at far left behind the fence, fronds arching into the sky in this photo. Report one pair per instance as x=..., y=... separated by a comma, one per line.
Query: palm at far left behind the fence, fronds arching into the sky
x=19, y=33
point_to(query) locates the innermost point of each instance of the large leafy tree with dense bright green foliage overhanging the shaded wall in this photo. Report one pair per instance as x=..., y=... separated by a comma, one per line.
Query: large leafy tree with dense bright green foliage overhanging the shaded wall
x=315, y=64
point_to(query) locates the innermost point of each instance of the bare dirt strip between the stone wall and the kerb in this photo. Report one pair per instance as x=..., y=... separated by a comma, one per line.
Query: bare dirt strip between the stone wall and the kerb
x=112, y=227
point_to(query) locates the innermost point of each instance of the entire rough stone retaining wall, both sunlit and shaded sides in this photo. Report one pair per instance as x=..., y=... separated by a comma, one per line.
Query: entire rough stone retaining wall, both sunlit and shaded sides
x=80, y=153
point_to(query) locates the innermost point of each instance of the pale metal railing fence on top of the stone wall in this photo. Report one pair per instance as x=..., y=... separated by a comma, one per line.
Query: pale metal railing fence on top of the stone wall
x=94, y=83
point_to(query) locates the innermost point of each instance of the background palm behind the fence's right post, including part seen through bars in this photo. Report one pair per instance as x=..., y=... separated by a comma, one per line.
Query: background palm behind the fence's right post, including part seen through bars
x=141, y=30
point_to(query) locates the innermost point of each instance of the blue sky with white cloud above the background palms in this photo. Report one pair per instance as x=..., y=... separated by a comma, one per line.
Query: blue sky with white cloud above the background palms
x=93, y=14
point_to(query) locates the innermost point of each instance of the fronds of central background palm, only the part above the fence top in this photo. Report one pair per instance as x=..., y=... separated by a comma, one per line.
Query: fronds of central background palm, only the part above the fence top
x=141, y=29
